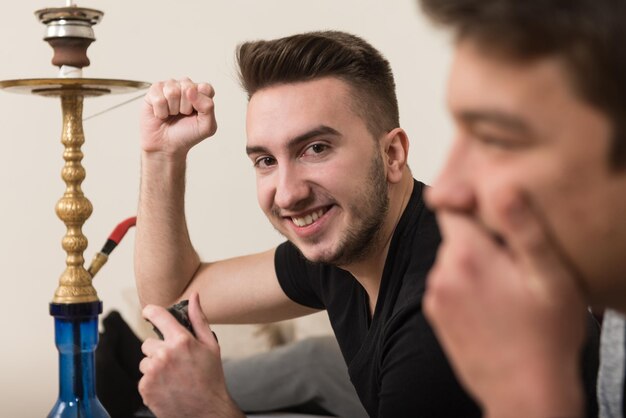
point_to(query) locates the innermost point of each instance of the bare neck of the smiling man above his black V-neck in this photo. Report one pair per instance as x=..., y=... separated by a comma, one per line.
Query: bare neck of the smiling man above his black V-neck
x=369, y=270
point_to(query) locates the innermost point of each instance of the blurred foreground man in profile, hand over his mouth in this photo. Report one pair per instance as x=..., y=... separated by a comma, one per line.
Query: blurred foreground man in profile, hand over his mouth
x=532, y=201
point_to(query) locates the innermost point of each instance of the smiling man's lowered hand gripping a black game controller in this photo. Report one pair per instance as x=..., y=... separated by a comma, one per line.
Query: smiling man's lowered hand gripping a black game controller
x=179, y=367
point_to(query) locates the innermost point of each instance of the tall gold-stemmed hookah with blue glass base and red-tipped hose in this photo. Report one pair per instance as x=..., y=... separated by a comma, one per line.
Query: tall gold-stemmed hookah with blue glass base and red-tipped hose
x=75, y=305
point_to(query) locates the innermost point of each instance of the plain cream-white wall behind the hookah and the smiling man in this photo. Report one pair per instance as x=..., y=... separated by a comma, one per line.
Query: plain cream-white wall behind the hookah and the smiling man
x=151, y=40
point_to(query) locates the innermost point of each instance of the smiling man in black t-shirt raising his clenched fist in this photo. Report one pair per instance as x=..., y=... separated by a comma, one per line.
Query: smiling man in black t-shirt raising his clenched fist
x=332, y=177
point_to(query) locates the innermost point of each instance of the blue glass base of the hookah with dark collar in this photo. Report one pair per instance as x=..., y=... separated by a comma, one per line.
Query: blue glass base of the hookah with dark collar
x=76, y=338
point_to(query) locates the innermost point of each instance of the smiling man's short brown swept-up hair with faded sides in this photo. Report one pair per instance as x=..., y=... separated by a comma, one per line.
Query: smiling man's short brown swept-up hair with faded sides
x=314, y=55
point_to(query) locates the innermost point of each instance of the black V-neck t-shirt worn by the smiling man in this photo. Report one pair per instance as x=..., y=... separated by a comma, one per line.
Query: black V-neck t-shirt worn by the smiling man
x=394, y=360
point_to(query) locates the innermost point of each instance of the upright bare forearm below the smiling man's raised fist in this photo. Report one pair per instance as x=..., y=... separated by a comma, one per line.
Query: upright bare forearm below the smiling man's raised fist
x=165, y=260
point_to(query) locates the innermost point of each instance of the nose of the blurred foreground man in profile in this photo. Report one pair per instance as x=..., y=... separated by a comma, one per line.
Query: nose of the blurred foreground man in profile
x=453, y=188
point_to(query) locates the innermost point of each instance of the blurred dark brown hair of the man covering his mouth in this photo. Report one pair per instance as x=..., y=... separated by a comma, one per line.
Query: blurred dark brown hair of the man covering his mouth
x=588, y=35
